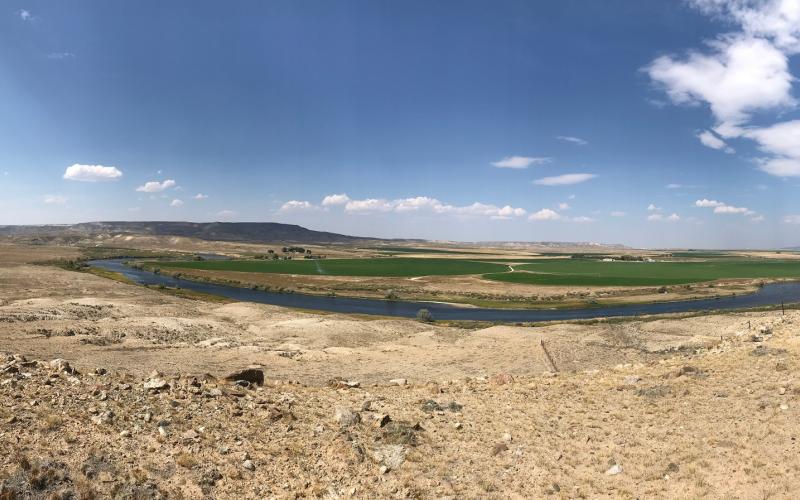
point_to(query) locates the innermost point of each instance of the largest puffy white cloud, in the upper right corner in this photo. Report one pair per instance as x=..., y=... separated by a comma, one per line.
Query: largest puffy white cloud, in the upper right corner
x=744, y=72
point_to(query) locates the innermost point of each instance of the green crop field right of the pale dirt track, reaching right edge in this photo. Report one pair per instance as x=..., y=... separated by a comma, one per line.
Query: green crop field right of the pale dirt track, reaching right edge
x=578, y=272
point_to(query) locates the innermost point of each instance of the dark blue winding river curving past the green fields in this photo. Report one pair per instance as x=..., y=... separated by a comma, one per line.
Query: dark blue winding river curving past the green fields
x=769, y=295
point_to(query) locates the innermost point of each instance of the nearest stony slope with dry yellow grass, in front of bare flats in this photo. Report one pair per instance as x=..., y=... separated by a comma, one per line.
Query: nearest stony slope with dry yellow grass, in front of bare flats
x=719, y=422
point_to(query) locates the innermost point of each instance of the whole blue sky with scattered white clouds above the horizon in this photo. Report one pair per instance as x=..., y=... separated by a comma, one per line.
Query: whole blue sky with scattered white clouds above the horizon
x=648, y=123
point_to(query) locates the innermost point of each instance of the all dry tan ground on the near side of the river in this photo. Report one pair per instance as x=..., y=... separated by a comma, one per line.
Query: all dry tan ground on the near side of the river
x=111, y=389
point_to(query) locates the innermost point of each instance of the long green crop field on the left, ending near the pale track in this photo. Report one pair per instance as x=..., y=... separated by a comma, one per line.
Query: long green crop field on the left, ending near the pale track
x=390, y=267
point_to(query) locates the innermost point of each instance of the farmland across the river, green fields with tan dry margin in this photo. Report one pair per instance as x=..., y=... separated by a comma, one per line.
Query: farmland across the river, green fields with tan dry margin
x=551, y=280
